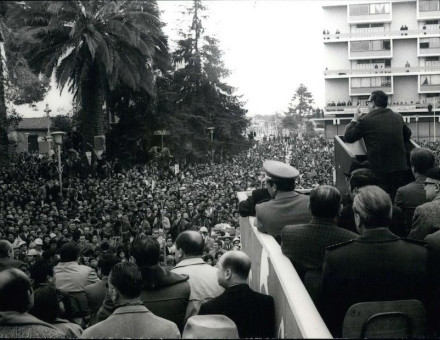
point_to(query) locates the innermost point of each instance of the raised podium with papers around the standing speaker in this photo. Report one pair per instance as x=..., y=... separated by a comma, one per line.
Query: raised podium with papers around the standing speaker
x=345, y=153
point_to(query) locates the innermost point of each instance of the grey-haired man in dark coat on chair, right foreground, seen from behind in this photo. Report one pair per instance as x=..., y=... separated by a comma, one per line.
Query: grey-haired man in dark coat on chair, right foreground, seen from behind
x=377, y=266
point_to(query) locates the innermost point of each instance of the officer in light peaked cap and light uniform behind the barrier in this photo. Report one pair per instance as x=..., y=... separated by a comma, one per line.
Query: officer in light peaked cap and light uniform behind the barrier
x=286, y=206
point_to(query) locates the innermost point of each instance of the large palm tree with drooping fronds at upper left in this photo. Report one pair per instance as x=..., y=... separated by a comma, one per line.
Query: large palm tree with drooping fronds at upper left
x=95, y=46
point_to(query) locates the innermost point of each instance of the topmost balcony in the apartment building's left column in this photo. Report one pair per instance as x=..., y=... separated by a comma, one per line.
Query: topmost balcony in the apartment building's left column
x=363, y=13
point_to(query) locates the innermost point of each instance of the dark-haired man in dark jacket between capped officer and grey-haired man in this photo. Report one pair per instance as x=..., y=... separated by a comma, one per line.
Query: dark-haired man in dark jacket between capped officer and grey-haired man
x=305, y=244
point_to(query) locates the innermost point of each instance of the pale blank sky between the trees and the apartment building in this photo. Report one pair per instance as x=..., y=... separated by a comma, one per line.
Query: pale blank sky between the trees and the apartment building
x=270, y=48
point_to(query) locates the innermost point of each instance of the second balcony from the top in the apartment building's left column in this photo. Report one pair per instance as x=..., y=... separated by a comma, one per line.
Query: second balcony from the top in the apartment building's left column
x=368, y=49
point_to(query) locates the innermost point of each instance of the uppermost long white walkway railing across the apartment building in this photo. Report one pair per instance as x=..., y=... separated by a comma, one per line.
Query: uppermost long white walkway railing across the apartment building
x=380, y=34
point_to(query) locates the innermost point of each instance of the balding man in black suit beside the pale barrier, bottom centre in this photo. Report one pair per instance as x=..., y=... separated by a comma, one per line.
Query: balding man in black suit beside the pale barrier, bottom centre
x=252, y=312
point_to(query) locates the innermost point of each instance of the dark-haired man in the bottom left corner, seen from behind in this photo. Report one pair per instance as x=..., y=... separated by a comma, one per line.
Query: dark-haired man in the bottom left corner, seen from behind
x=16, y=299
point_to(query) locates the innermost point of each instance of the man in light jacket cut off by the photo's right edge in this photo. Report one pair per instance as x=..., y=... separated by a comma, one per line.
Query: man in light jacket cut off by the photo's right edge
x=426, y=218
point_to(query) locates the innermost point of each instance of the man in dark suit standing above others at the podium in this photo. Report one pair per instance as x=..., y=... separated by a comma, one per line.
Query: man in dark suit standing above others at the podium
x=384, y=133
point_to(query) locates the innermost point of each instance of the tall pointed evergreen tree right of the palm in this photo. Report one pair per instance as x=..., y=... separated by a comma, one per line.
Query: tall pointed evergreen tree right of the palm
x=203, y=99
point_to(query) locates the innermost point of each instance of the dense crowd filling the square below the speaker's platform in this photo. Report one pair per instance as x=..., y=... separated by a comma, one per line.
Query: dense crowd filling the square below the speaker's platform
x=105, y=210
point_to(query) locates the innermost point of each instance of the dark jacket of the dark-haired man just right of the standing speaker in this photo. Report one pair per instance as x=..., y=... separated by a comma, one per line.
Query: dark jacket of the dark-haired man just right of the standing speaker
x=409, y=197
